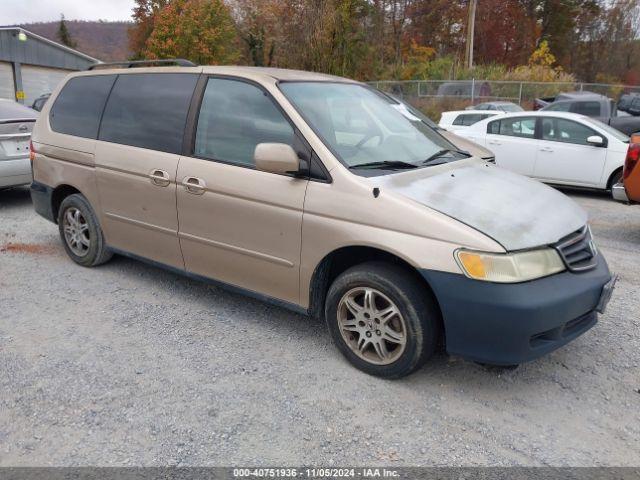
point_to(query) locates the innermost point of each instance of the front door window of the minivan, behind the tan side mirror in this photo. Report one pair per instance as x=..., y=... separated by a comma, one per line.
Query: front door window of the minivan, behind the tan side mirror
x=236, y=116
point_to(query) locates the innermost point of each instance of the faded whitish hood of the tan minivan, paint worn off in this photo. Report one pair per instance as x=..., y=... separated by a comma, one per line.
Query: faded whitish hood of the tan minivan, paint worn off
x=515, y=211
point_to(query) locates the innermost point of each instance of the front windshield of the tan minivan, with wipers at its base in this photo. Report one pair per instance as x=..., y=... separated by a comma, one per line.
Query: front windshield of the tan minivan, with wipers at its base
x=361, y=127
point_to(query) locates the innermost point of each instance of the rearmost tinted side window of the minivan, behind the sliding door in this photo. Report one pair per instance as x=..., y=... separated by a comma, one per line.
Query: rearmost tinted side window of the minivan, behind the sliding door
x=79, y=105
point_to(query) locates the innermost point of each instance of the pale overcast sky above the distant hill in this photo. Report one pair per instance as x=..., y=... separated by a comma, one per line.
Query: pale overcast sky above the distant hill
x=14, y=12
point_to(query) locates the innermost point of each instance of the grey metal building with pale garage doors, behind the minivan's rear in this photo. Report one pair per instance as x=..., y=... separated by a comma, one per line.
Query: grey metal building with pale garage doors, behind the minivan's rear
x=31, y=65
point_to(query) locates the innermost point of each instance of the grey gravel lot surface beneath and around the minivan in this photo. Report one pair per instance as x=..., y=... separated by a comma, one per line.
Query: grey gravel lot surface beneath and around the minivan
x=127, y=364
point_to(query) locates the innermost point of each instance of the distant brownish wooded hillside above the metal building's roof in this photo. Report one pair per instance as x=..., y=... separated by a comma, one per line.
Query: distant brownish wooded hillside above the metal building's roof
x=106, y=41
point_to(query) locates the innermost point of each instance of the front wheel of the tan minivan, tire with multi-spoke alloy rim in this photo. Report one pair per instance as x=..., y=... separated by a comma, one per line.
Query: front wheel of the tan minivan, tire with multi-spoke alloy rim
x=363, y=339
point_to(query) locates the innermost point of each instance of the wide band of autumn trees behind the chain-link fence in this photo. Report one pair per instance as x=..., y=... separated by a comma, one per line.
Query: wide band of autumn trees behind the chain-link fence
x=399, y=39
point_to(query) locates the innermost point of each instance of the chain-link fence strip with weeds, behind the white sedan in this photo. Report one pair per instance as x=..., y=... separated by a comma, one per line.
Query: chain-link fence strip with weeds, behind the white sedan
x=436, y=96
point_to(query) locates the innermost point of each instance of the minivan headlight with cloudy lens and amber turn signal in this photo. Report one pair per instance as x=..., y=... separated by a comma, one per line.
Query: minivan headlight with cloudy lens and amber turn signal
x=509, y=267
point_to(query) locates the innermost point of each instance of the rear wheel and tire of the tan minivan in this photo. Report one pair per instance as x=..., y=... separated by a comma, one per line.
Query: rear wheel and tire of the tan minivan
x=80, y=232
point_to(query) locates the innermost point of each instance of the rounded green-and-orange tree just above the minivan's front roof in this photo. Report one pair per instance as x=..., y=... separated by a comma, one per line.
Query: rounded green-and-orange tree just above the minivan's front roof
x=199, y=30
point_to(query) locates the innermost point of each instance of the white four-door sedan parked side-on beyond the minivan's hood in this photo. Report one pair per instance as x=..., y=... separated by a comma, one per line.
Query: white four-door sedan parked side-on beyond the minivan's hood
x=554, y=147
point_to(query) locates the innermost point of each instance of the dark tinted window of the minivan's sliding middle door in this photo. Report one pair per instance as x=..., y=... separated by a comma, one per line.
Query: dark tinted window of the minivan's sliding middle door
x=149, y=110
